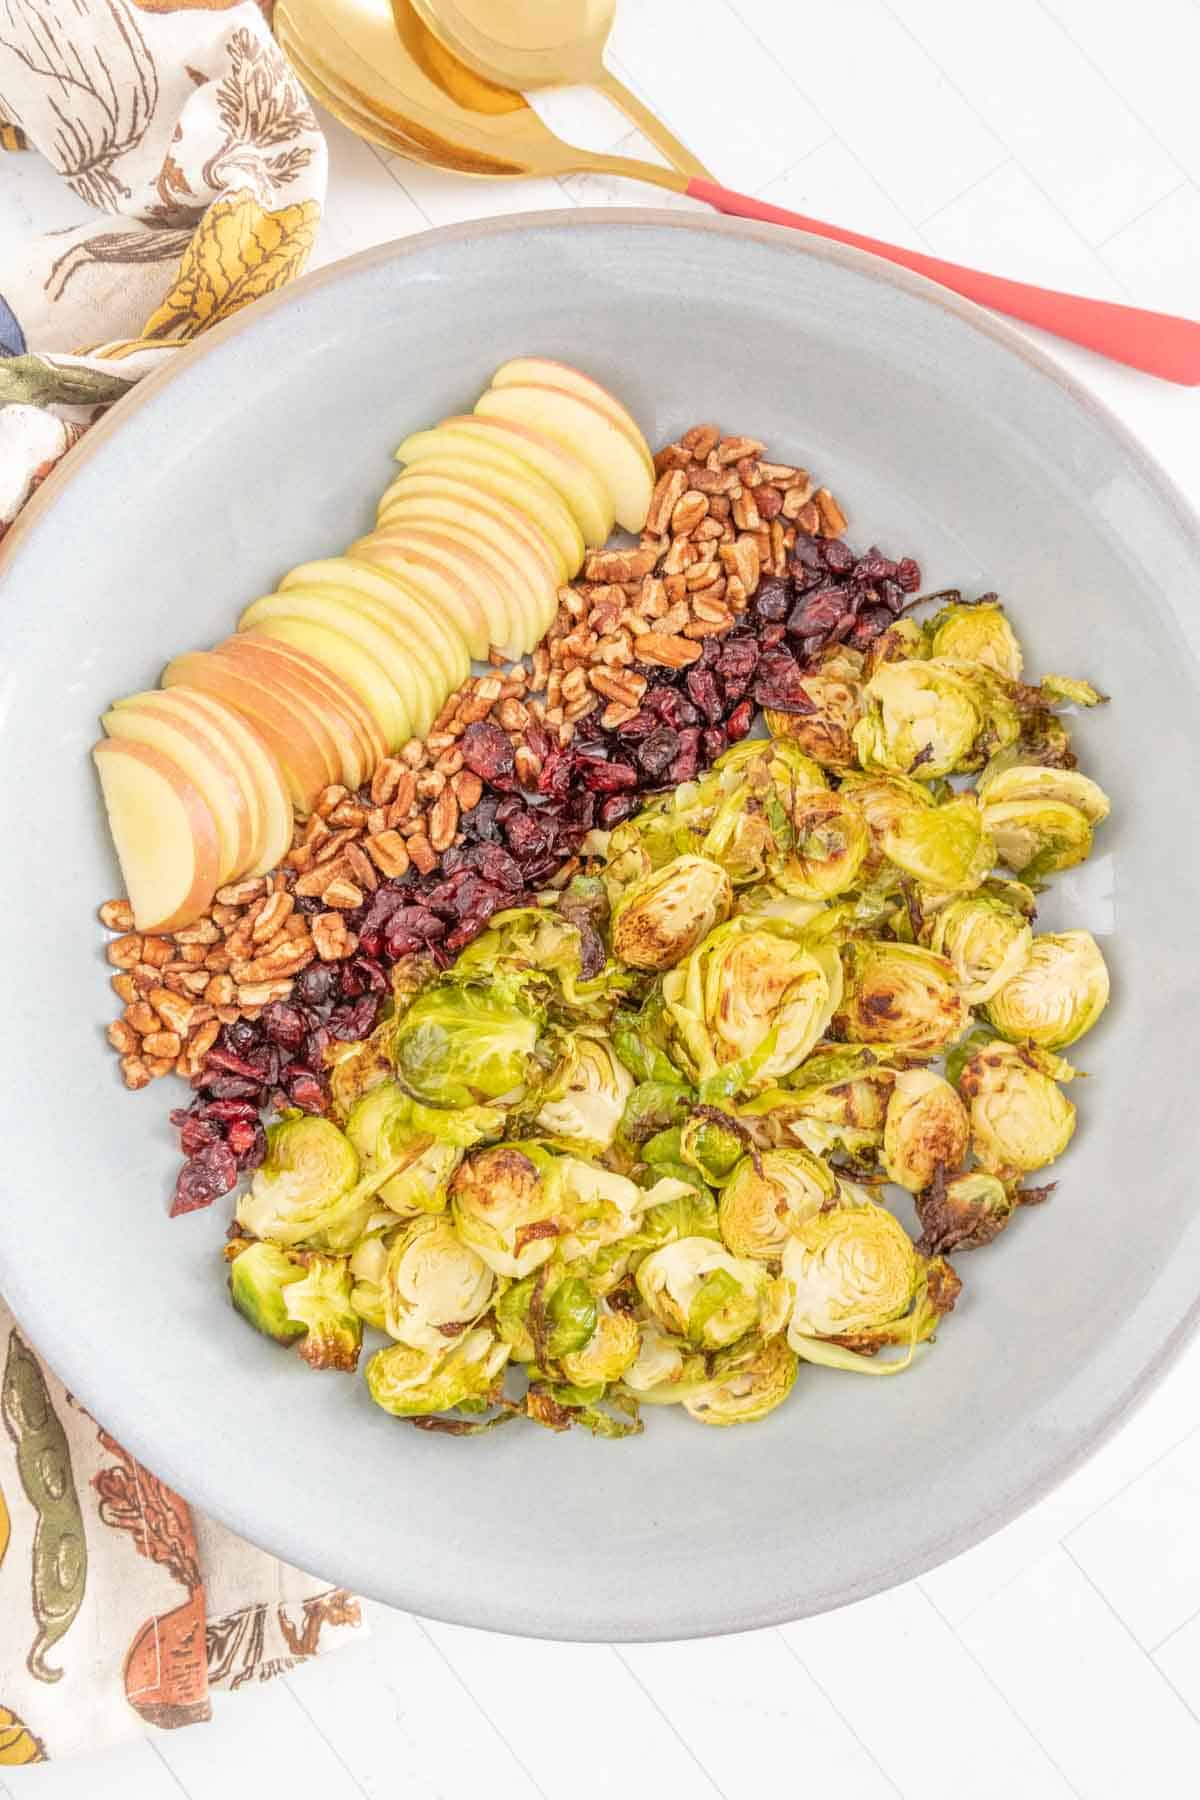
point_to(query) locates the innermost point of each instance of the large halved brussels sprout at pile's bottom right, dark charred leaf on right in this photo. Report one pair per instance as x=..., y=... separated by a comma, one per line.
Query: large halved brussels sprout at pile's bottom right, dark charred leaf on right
x=861, y=1286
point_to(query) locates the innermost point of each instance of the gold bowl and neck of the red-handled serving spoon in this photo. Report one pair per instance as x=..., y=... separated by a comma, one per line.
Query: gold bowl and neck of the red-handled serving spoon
x=381, y=62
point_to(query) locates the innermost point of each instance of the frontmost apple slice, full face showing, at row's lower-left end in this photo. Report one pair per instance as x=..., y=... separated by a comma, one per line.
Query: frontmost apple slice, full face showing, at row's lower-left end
x=163, y=831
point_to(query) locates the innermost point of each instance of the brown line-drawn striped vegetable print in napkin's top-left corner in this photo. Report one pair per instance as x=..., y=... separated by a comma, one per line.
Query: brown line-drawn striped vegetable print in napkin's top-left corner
x=96, y=89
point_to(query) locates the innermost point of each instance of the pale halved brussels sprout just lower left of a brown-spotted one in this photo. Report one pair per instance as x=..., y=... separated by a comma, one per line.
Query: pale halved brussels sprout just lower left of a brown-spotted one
x=434, y=1286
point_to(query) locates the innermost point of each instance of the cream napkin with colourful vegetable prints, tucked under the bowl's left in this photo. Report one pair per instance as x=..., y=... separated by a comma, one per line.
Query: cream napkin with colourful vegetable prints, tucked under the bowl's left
x=118, y=1606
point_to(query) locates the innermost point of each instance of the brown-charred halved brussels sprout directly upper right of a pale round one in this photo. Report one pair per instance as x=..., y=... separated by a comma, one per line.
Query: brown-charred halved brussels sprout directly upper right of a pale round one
x=505, y=1210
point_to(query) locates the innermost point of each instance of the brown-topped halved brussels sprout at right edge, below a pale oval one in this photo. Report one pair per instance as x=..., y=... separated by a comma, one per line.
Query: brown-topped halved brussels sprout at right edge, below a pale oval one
x=1021, y=1120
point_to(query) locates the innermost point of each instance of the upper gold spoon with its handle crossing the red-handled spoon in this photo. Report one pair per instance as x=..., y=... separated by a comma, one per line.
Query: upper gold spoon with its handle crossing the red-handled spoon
x=546, y=44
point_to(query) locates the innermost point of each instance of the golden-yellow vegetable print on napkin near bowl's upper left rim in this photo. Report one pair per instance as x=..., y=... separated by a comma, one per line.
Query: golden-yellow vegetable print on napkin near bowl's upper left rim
x=240, y=253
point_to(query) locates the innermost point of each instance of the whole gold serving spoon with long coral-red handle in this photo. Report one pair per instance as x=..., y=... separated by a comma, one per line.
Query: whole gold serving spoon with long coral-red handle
x=390, y=78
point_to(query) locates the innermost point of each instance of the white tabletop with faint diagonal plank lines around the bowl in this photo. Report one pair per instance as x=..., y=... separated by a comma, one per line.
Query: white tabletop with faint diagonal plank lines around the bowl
x=1050, y=139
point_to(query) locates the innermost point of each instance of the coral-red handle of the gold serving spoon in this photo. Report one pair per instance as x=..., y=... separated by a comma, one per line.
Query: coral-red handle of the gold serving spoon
x=1158, y=343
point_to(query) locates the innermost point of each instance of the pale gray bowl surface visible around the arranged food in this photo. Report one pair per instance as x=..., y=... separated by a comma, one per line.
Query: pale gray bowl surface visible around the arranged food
x=944, y=438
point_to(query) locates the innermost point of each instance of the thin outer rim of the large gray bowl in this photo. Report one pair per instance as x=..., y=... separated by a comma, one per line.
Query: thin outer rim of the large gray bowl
x=69, y=1358
